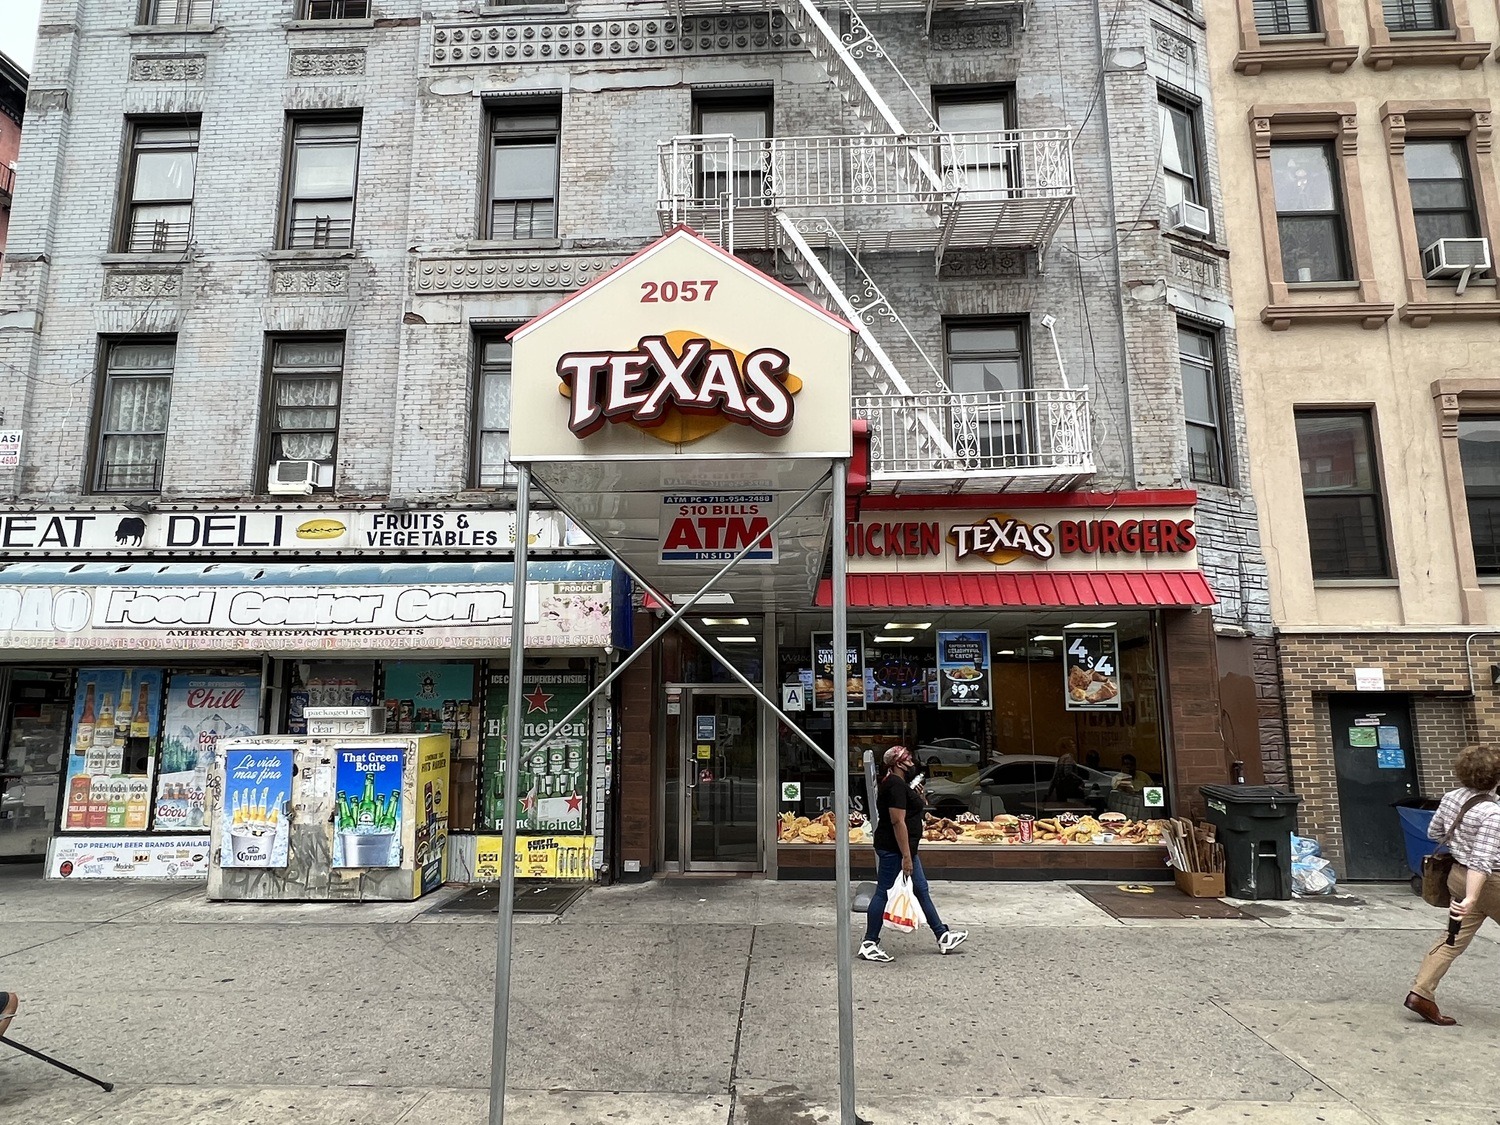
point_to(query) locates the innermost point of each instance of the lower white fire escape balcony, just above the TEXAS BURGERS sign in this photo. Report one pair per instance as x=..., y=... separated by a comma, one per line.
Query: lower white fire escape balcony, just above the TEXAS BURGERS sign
x=1033, y=440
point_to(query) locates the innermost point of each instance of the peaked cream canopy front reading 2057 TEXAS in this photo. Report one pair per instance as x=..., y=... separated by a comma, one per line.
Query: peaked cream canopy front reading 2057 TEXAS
x=682, y=352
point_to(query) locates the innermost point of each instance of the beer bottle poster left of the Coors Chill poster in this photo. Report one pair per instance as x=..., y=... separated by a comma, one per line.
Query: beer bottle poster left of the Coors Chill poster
x=112, y=749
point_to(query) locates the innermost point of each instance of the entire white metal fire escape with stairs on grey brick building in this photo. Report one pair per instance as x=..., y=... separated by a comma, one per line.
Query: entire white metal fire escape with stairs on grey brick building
x=896, y=190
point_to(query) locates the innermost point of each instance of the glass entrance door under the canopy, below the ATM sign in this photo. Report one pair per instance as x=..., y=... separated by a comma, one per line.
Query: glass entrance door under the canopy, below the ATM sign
x=721, y=781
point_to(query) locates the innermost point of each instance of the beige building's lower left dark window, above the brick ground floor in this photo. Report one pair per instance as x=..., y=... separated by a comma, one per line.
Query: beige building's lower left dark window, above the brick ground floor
x=1342, y=494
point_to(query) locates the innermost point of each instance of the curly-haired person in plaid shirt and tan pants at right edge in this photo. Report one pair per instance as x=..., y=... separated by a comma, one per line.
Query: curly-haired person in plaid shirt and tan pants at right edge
x=1475, y=845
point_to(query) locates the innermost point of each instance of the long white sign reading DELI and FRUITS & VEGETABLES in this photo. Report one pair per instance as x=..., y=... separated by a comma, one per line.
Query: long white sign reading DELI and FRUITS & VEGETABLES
x=281, y=530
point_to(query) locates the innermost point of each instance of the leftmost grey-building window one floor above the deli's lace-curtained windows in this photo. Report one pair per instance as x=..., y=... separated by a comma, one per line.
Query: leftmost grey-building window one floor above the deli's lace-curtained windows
x=163, y=167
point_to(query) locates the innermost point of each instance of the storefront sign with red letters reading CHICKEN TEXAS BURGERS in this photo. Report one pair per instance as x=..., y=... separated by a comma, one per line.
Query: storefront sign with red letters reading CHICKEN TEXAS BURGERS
x=1096, y=538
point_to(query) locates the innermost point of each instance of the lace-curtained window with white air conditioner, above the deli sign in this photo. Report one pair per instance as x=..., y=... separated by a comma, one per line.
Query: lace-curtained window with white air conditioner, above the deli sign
x=304, y=394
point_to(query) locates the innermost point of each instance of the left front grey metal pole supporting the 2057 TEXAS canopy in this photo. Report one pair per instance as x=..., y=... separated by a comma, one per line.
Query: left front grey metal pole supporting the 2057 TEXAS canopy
x=500, y=1036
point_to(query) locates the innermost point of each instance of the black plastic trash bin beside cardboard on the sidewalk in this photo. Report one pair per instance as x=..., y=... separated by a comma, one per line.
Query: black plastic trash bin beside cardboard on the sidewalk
x=1255, y=824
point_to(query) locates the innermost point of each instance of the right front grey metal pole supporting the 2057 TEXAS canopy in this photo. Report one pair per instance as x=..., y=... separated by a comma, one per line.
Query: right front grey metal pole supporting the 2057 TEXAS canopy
x=845, y=905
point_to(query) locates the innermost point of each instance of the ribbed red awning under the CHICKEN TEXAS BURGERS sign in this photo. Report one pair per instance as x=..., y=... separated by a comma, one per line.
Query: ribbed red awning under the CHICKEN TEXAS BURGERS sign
x=1108, y=590
